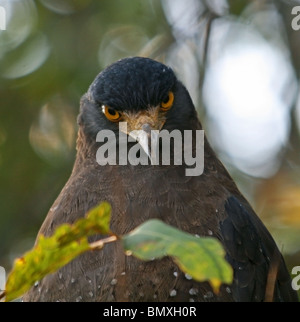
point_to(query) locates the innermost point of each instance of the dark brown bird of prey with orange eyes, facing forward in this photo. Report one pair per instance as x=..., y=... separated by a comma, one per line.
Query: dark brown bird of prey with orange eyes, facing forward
x=148, y=96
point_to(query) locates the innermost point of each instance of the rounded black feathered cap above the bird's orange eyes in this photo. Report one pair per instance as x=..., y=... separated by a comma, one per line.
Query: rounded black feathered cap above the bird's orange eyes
x=132, y=84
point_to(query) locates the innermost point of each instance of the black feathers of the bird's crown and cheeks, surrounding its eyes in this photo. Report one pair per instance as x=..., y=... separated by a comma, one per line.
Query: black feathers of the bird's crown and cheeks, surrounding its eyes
x=134, y=84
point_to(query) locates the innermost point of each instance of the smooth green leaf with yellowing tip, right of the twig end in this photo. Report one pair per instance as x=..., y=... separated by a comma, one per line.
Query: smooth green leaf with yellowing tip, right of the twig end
x=201, y=258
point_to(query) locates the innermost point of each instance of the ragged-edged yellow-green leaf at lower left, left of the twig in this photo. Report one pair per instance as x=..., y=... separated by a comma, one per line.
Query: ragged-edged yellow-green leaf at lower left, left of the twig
x=50, y=254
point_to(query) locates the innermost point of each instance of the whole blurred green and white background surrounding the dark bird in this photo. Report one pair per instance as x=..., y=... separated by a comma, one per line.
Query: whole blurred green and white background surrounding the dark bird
x=239, y=59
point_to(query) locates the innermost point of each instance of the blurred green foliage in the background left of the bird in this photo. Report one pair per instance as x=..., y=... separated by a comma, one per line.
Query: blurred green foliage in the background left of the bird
x=81, y=42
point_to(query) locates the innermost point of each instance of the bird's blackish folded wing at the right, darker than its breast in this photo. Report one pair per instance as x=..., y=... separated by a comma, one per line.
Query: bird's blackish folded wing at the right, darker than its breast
x=260, y=271
